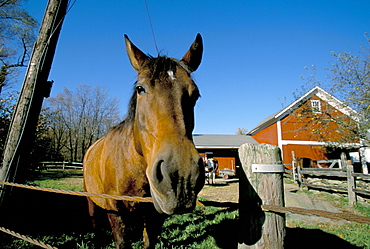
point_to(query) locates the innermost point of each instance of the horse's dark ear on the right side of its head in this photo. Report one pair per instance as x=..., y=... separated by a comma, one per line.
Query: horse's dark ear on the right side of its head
x=194, y=56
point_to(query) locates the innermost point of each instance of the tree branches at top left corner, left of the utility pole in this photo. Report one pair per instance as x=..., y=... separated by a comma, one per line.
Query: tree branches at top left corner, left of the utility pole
x=17, y=35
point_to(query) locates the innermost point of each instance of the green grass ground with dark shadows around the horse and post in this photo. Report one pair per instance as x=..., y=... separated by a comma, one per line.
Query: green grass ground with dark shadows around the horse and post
x=207, y=227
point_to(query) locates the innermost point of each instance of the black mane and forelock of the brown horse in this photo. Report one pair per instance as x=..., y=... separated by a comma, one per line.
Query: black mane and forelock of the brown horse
x=157, y=68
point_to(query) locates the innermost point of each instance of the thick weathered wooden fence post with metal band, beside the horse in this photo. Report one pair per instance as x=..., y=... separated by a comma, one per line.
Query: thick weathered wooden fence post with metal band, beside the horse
x=261, y=183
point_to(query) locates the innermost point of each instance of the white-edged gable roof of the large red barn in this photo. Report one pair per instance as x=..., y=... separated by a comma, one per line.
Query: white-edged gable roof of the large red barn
x=319, y=92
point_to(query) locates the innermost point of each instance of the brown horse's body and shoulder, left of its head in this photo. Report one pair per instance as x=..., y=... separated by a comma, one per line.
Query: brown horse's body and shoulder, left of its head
x=112, y=166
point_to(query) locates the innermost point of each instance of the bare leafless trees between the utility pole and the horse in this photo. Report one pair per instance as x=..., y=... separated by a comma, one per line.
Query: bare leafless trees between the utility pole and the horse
x=80, y=118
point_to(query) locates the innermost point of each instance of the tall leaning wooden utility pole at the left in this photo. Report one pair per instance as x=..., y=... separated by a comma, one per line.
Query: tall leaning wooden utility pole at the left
x=35, y=87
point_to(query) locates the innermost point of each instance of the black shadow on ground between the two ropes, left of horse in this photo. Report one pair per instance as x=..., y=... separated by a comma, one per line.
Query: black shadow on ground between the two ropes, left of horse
x=36, y=212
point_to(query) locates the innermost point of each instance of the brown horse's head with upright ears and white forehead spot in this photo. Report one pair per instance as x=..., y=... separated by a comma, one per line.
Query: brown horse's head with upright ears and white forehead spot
x=163, y=122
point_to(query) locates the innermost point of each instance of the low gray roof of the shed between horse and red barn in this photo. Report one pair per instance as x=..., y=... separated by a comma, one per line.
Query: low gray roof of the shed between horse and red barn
x=202, y=141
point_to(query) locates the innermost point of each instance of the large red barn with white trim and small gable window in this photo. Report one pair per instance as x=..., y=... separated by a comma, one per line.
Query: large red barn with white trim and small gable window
x=292, y=131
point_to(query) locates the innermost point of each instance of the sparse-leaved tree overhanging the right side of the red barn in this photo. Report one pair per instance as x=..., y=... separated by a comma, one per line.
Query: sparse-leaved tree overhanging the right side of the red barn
x=348, y=79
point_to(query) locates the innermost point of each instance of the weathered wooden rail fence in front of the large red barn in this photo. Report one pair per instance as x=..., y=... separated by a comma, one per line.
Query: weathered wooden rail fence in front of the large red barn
x=303, y=175
